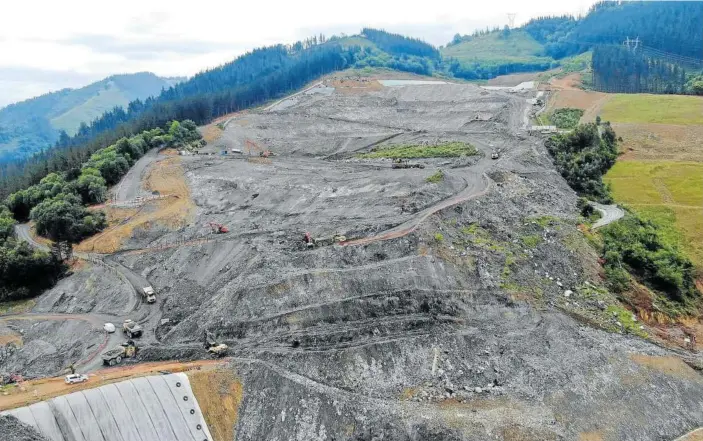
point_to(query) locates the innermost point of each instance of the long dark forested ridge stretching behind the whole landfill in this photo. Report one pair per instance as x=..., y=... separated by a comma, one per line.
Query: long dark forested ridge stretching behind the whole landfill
x=270, y=72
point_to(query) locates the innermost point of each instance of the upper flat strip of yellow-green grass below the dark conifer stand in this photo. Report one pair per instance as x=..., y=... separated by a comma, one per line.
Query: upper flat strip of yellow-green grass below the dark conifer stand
x=659, y=109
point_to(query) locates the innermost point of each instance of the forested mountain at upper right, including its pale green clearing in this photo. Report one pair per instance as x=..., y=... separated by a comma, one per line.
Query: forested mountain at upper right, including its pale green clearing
x=662, y=28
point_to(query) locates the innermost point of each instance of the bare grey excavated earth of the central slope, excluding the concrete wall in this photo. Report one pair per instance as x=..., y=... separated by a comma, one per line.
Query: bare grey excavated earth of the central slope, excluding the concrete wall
x=479, y=321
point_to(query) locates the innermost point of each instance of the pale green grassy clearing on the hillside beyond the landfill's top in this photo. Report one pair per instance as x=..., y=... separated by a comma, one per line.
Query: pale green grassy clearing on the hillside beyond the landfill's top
x=518, y=47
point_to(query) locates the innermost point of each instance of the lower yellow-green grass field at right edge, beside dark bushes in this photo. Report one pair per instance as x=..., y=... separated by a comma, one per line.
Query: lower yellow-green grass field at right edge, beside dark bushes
x=668, y=192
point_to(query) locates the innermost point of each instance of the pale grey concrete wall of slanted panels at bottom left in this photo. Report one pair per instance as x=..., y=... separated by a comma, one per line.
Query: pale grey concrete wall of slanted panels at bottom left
x=156, y=408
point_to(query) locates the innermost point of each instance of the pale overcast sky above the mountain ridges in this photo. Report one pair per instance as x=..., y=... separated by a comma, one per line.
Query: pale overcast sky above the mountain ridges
x=46, y=45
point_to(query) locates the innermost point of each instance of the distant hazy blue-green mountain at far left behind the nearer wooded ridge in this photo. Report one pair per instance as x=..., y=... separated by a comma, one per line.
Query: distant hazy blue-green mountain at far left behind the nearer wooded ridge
x=35, y=124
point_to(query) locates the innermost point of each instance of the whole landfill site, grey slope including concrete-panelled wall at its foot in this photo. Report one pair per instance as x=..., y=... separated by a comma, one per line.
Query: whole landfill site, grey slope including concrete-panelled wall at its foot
x=340, y=296
